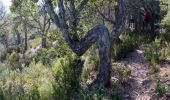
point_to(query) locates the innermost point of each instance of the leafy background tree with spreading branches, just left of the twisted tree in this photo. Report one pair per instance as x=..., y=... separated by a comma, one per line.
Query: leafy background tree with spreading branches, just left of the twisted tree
x=36, y=18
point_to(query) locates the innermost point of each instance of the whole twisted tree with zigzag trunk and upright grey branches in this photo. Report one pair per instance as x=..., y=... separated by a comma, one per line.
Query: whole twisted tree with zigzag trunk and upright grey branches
x=99, y=33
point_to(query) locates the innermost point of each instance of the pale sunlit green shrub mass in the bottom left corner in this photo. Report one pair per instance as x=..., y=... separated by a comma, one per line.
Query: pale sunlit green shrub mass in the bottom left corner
x=33, y=83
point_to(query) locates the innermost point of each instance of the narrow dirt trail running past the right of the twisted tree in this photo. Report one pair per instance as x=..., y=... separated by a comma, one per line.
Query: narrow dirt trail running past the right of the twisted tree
x=137, y=86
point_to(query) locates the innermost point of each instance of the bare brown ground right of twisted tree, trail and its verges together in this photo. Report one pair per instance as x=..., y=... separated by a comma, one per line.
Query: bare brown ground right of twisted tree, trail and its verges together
x=140, y=83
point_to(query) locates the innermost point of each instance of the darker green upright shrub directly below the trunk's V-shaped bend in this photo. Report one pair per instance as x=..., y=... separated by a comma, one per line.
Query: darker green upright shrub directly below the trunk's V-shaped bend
x=67, y=72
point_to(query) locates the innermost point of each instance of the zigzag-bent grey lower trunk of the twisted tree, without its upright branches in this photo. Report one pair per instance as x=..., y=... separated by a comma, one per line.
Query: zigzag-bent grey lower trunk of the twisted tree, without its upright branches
x=99, y=34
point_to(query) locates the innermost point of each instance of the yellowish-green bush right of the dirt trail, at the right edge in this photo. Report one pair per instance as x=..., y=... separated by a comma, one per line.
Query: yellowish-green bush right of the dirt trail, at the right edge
x=157, y=51
